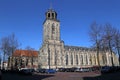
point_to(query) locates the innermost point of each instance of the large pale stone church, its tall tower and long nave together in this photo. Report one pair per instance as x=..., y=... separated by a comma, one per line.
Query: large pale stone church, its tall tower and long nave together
x=55, y=54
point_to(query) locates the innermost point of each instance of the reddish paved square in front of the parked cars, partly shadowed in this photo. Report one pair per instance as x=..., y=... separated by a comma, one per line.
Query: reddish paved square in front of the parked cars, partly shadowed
x=63, y=76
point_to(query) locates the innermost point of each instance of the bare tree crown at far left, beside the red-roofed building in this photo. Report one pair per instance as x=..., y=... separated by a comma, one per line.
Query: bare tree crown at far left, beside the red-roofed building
x=8, y=45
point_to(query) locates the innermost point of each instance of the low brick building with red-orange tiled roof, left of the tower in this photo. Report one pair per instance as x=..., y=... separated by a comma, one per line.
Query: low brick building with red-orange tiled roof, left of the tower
x=23, y=59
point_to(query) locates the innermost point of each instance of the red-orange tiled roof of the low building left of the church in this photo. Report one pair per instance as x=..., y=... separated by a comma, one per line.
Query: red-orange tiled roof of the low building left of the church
x=27, y=53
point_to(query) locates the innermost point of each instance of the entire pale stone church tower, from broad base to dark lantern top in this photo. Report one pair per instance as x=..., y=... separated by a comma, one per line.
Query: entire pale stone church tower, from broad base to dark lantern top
x=50, y=54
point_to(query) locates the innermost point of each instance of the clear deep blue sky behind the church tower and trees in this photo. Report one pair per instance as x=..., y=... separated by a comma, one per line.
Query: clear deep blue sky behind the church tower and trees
x=25, y=19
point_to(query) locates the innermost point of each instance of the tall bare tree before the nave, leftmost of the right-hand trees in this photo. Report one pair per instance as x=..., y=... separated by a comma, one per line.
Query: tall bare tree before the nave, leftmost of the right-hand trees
x=95, y=36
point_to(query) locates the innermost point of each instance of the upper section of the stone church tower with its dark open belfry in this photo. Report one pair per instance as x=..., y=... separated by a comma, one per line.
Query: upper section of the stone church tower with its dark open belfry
x=51, y=28
